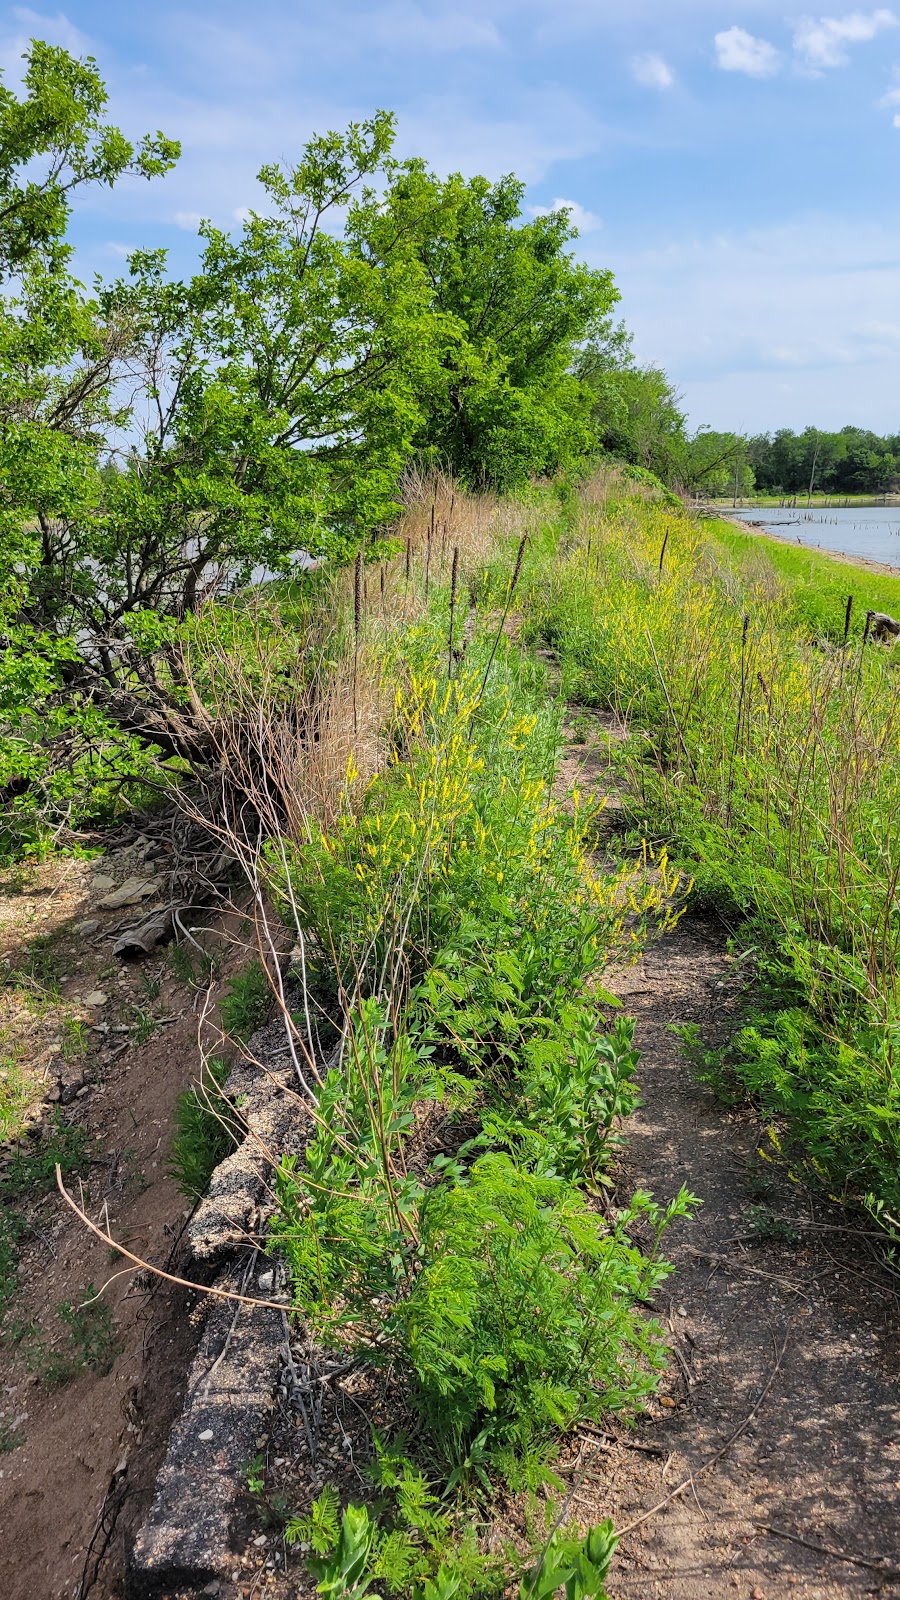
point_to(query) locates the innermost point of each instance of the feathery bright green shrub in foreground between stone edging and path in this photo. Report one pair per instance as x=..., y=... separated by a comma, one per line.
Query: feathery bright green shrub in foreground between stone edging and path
x=521, y=1319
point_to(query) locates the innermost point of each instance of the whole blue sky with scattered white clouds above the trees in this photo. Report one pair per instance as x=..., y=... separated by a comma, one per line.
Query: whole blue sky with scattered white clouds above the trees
x=734, y=164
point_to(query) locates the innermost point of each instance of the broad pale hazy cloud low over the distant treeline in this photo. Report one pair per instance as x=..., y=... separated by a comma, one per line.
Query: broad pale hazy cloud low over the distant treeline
x=771, y=327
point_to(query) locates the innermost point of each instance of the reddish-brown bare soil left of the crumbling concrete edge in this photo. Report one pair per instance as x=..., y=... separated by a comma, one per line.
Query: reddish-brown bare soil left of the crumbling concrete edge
x=81, y=1479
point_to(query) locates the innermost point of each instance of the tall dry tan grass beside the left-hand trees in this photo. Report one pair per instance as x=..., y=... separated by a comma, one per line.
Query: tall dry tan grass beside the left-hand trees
x=294, y=703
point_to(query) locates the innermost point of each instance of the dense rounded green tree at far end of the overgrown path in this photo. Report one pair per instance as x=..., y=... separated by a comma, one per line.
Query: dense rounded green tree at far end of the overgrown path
x=513, y=306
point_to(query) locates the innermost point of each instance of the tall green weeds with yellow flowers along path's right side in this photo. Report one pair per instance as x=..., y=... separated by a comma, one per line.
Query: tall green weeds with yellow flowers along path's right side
x=771, y=762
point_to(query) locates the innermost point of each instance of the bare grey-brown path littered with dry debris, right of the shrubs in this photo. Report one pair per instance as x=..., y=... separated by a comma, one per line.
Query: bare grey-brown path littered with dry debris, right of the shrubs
x=784, y=1334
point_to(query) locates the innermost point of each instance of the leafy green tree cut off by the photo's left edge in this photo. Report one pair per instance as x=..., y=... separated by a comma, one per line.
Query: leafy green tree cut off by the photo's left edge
x=57, y=366
